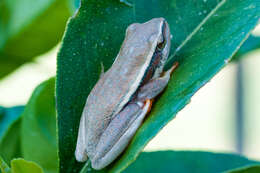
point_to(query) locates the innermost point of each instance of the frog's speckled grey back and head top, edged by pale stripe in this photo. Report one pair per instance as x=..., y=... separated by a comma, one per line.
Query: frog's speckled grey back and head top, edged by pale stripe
x=120, y=82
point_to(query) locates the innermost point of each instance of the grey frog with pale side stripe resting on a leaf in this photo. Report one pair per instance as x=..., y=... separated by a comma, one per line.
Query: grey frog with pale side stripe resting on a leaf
x=123, y=96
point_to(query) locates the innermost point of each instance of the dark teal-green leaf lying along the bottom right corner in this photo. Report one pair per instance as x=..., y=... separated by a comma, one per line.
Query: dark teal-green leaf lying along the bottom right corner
x=187, y=161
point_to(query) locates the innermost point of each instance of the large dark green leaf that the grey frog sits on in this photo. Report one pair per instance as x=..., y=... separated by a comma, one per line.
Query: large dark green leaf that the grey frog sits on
x=205, y=36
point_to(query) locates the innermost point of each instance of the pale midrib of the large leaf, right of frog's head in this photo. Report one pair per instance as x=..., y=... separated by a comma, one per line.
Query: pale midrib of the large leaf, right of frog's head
x=196, y=29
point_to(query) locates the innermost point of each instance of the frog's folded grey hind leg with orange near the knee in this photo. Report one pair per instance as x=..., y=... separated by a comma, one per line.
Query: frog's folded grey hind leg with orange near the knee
x=119, y=133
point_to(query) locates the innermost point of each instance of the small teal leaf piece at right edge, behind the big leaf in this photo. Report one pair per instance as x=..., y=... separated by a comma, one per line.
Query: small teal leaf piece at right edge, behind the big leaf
x=252, y=43
